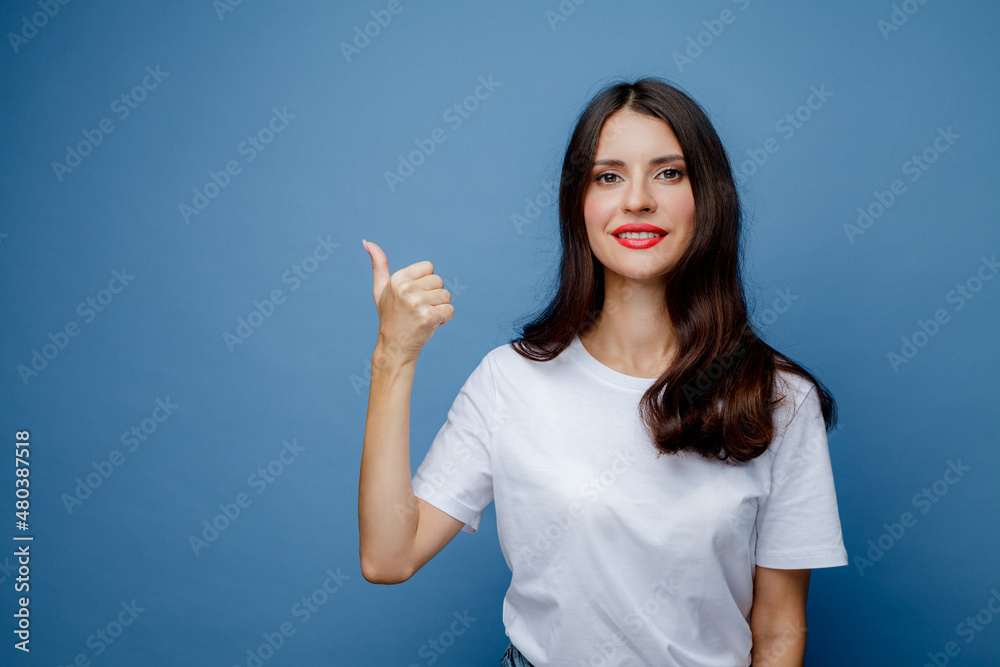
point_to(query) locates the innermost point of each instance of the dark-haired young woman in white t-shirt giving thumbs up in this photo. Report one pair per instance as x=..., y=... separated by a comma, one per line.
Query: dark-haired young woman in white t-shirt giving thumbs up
x=662, y=477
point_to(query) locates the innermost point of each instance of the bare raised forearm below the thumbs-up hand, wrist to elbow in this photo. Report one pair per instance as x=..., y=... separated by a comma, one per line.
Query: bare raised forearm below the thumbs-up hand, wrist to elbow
x=387, y=516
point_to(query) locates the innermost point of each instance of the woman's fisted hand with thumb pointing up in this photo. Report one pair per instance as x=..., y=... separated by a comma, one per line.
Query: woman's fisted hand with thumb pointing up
x=412, y=303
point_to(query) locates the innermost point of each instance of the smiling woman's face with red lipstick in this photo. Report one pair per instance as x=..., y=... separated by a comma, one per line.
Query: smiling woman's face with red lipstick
x=639, y=178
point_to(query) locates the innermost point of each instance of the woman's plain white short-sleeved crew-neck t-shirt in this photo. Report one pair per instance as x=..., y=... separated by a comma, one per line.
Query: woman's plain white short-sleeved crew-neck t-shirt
x=619, y=557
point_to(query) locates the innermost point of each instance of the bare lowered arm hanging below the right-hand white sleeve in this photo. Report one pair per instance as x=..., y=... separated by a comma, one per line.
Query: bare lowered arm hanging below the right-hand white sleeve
x=778, y=617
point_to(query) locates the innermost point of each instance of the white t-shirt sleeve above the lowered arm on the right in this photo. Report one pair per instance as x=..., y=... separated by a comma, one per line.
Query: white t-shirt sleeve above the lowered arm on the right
x=798, y=523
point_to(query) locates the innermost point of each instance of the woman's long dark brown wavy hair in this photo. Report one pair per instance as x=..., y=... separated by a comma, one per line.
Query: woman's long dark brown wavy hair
x=718, y=396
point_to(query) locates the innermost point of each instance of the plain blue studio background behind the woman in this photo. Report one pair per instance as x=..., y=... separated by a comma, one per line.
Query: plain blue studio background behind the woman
x=301, y=374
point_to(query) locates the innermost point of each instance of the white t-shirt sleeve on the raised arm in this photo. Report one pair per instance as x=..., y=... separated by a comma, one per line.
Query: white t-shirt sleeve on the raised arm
x=455, y=475
